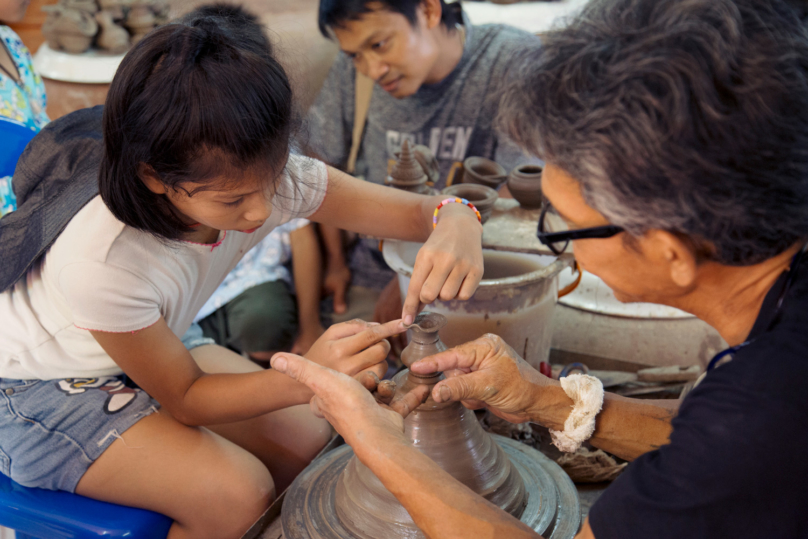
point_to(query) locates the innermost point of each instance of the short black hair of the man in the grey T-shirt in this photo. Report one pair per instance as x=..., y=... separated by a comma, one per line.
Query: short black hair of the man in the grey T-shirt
x=335, y=13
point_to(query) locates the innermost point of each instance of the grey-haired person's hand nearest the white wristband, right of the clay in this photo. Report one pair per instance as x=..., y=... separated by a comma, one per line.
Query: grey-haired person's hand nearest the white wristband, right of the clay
x=486, y=373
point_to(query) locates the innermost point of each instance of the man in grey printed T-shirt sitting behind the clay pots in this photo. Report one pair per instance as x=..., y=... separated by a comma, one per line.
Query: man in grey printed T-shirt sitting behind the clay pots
x=438, y=81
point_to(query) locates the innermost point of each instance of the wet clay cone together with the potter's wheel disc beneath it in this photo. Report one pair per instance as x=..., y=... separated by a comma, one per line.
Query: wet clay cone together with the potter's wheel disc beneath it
x=339, y=497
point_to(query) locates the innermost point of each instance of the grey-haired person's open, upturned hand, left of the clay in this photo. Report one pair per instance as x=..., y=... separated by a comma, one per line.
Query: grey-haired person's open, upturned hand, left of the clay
x=348, y=405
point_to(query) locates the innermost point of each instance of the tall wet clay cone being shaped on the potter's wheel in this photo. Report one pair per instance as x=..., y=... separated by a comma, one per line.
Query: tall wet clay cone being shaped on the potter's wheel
x=448, y=433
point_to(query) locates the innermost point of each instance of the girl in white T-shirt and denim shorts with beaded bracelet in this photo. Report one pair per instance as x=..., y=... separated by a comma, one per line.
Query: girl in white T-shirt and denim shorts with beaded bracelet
x=196, y=170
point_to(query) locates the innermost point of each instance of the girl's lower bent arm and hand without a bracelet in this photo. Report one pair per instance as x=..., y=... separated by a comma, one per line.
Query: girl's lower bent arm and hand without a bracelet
x=158, y=362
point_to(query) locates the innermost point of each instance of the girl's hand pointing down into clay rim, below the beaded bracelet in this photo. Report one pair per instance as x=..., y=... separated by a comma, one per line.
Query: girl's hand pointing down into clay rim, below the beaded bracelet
x=450, y=263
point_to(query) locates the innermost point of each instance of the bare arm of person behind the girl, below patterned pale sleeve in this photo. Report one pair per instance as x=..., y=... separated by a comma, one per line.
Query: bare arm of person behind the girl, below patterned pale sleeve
x=307, y=268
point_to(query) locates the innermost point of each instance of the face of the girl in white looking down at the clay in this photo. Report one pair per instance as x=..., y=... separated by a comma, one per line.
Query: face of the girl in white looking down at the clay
x=243, y=208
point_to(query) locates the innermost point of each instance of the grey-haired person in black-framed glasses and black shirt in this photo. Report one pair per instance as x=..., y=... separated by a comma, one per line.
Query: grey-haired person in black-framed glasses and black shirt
x=676, y=139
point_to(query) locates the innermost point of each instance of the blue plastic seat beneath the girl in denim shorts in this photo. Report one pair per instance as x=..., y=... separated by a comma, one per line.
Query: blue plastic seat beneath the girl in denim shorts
x=48, y=514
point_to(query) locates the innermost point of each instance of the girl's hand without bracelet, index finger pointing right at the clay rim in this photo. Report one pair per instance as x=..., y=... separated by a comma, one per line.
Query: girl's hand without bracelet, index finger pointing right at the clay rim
x=355, y=346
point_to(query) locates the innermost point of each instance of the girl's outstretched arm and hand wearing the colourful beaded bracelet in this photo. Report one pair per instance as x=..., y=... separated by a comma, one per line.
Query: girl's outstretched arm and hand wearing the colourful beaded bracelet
x=449, y=265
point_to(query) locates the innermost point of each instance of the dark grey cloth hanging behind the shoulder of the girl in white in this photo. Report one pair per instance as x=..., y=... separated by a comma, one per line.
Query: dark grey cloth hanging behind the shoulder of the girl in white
x=56, y=176
